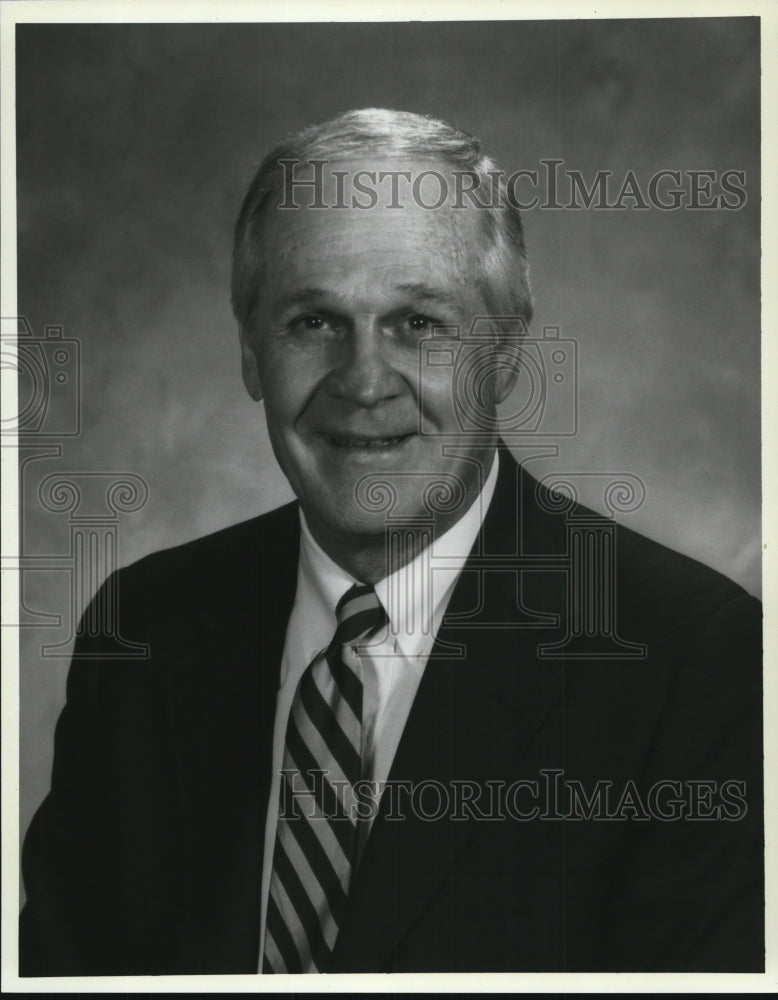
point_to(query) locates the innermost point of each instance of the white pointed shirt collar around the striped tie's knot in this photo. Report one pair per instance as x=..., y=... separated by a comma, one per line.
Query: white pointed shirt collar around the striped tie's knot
x=414, y=597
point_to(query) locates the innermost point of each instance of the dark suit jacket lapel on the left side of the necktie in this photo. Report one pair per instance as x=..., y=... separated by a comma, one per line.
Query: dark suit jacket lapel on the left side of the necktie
x=221, y=706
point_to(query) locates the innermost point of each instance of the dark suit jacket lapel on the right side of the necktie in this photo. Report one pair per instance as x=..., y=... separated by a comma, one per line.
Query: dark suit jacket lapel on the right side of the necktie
x=473, y=716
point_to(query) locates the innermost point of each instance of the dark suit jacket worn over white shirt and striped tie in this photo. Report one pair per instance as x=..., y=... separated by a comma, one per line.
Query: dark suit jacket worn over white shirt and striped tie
x=146, y=856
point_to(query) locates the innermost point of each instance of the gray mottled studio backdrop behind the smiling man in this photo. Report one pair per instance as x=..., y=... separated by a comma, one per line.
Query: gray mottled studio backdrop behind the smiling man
x=135, y=145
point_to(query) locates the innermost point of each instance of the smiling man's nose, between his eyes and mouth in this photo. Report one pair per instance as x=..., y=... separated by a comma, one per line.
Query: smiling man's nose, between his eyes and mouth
x=364, y=372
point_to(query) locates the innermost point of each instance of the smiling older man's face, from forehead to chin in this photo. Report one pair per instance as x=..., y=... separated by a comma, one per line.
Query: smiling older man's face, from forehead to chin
x=347, y=296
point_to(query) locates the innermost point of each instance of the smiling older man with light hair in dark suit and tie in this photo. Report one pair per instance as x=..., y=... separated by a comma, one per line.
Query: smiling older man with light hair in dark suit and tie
x=432, y=717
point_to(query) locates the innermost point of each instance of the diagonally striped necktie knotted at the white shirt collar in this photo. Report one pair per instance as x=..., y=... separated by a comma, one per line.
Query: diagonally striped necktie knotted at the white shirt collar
x=316, y=841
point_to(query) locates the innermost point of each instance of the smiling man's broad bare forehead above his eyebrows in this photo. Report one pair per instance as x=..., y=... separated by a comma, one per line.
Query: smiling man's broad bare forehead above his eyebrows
x=369, y=235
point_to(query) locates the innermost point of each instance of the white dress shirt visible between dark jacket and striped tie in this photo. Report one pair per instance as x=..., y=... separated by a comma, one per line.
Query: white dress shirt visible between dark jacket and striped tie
x=415, y=598
